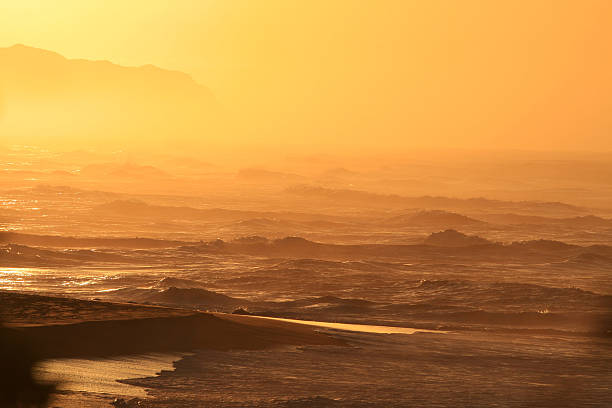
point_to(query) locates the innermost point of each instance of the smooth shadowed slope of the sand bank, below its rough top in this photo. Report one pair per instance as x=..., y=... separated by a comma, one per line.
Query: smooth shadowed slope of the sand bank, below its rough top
x=179, y=333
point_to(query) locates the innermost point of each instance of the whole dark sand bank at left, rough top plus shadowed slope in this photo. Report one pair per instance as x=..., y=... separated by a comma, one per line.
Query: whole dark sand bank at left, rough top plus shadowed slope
x=89, y=329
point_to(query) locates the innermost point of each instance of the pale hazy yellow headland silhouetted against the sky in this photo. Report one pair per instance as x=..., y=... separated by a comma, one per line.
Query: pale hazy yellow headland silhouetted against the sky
x=51, y=98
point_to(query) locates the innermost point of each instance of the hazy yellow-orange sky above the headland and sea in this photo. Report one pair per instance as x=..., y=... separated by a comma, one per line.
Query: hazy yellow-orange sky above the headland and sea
x=528, y=74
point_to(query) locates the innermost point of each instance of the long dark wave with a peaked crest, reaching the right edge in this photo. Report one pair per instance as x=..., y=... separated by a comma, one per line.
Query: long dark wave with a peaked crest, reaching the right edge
x=443, y=246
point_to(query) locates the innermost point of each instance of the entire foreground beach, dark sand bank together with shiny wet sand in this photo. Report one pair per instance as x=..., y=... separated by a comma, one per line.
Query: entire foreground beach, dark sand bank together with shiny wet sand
x=236, y=361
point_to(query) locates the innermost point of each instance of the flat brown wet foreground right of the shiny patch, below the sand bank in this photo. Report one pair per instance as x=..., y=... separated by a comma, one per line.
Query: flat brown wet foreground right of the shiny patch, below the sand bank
x=398, y=370
